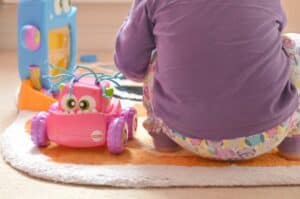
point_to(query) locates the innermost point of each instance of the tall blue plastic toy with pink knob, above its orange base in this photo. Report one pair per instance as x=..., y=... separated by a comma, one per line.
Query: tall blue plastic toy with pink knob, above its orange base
x=47, y=34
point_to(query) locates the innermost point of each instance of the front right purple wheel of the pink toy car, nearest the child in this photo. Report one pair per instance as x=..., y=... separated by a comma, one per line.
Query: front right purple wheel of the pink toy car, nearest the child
x=117, y=135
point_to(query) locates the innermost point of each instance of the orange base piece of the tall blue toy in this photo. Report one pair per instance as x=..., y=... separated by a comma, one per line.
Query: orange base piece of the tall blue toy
x=33, y=100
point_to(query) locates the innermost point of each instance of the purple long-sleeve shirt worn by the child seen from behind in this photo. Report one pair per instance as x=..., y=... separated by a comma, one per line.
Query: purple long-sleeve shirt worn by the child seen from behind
x=221, y=70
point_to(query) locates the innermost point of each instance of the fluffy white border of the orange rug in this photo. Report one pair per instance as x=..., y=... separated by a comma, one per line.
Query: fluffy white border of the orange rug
x=133, y=176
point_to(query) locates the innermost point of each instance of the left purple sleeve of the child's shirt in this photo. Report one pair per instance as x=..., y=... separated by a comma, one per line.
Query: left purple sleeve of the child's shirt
x=135, y=42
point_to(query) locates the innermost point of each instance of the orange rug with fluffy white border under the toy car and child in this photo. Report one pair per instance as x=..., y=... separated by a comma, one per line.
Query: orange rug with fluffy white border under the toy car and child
x=139, y=166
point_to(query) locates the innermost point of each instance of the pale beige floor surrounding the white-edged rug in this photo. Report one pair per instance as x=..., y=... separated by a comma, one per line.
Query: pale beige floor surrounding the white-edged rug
x=14, y=184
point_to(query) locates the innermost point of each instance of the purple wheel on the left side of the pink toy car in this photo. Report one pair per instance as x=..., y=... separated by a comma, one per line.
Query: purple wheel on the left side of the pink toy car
x=39, y=129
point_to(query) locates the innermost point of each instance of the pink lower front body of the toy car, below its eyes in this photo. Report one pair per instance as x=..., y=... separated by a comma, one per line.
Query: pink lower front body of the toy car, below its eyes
x=81, y=130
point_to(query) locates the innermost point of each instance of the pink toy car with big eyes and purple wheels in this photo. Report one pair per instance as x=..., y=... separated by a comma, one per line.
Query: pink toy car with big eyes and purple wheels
x=85, y=115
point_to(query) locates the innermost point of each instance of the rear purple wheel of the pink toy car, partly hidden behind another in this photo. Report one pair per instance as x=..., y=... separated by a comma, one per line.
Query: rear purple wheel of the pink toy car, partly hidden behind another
x=130, y=115
